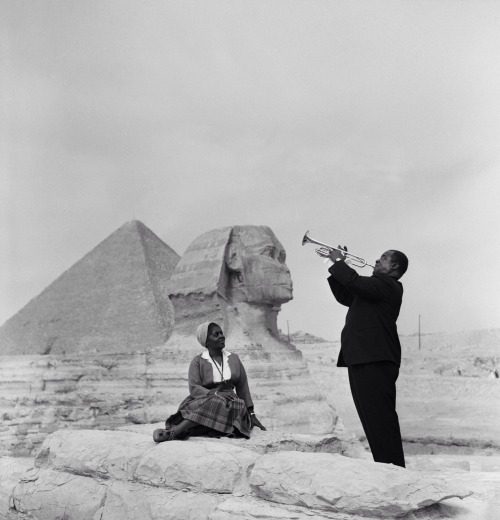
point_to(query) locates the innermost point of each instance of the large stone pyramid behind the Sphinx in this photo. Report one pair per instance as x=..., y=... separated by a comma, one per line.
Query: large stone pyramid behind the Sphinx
x=114, y=299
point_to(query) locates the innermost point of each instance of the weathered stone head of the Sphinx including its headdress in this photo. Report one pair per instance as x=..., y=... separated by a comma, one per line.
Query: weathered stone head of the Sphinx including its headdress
x=234, y=269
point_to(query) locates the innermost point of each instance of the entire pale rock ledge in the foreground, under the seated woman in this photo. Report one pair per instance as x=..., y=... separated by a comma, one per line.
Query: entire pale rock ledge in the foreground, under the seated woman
x=110, y=475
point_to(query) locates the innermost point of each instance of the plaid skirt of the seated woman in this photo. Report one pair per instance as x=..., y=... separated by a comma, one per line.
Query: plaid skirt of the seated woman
x=214, y=413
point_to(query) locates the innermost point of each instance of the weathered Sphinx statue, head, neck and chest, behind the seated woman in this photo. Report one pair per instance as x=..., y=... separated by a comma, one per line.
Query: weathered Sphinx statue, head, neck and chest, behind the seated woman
x=237, y=277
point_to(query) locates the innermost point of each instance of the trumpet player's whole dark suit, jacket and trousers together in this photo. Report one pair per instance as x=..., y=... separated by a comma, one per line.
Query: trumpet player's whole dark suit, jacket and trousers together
x=371, y=350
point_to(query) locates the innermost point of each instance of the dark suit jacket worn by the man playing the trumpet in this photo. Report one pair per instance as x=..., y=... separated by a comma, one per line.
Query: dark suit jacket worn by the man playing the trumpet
x=370, y=333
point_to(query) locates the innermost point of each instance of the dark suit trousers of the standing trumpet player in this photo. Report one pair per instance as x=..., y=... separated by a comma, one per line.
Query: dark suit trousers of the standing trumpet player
x=373, y=388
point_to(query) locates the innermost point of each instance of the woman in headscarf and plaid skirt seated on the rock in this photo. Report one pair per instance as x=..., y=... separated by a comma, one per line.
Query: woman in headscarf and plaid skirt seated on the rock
x=212, y=406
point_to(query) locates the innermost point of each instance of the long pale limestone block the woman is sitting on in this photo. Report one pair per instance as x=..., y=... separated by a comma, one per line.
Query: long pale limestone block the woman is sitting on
x=201, y=466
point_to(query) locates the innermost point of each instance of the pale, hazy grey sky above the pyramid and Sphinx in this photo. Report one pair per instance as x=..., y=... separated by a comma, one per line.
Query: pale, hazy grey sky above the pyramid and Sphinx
x=374, y=124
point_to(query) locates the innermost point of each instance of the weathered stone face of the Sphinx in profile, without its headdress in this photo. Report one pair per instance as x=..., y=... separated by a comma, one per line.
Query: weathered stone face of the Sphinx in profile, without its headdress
x=255, y=260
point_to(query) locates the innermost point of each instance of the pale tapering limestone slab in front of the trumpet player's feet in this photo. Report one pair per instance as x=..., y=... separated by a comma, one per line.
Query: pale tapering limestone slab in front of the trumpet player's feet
x=338, y=484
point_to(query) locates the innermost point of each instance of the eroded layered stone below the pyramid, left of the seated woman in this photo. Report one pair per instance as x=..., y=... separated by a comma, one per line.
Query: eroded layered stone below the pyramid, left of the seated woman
x=41, y=394
